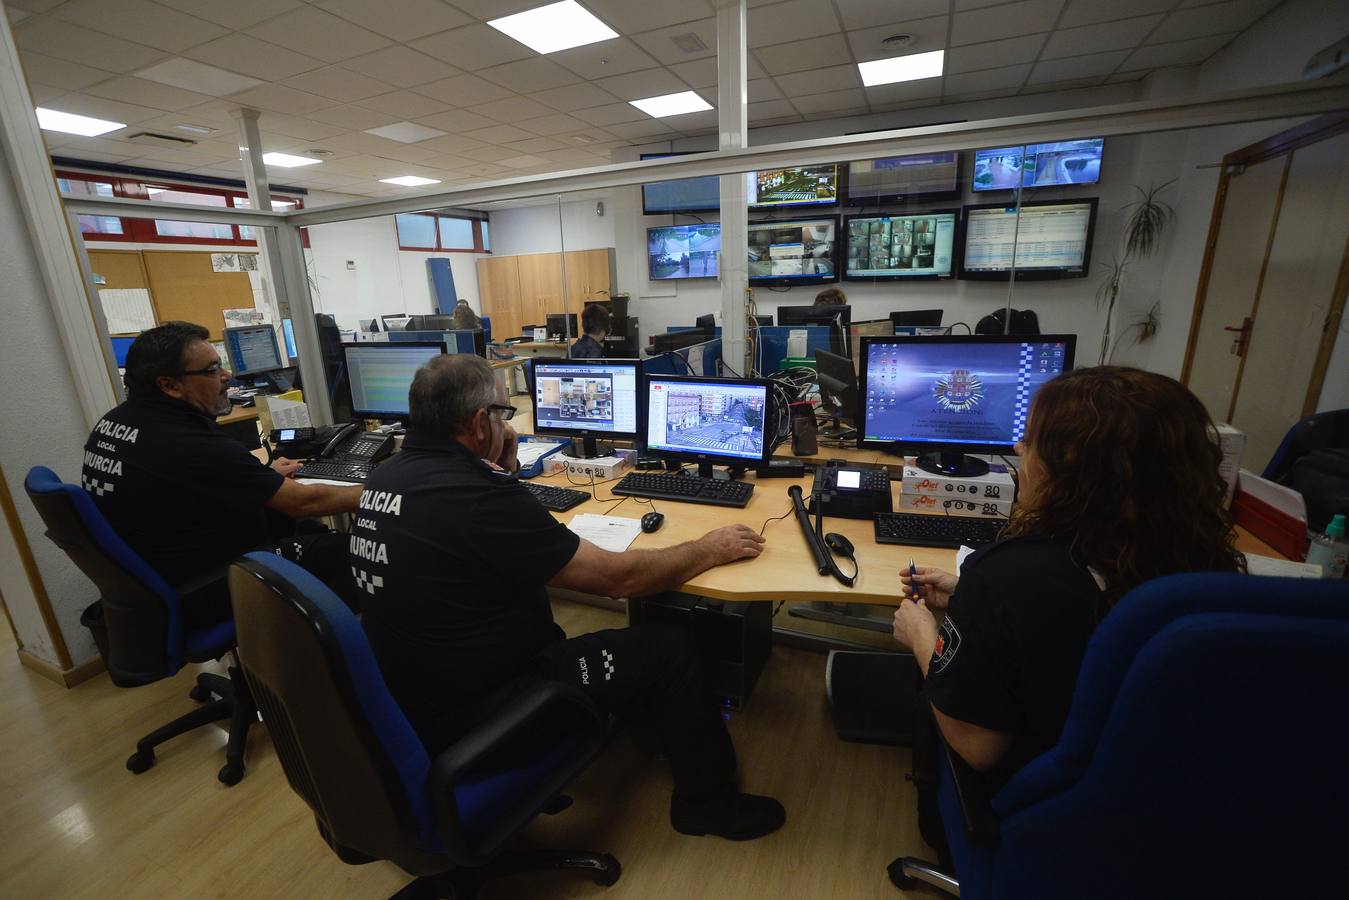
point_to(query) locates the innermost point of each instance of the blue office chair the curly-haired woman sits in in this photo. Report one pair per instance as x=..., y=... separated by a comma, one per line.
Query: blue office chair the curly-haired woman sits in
x=1204, y=756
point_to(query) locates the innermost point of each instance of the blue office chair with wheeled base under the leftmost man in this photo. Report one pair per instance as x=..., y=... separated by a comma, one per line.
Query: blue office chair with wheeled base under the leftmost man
x=146, y=639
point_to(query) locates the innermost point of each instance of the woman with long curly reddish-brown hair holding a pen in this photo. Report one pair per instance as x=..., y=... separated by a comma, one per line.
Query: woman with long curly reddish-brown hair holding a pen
x=1119, y=484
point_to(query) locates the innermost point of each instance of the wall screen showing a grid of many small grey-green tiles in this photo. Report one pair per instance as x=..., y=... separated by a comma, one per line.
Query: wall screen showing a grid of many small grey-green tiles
x=900, y=248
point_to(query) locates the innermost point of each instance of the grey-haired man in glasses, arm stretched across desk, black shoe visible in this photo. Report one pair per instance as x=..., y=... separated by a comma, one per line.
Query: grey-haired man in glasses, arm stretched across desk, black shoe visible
x=455, y=558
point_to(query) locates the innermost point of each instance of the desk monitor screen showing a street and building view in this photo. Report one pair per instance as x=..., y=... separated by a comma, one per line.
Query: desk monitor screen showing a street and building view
x=704, y=418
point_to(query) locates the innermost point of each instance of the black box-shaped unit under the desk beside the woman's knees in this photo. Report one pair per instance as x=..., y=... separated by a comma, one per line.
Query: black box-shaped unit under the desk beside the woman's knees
x=873, y=697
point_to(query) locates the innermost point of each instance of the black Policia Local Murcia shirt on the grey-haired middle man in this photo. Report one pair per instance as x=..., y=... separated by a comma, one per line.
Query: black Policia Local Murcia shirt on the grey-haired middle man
x=453, y=559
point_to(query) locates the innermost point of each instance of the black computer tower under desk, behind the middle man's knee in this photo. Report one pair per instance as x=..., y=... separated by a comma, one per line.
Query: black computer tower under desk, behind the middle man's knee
x=733, y=640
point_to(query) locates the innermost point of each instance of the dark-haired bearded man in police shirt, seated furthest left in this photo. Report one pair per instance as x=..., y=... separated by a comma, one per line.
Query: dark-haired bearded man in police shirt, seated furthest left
x=185, y=496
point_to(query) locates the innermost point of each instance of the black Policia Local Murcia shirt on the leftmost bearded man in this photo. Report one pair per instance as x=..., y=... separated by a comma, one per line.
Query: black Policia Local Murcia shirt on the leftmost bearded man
x=176, y=488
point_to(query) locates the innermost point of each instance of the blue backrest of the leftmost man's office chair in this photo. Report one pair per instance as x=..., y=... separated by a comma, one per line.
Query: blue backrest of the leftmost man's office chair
x=140, y=609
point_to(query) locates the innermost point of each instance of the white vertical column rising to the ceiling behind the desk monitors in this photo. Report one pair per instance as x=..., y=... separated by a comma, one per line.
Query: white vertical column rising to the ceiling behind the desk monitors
x=732, y=136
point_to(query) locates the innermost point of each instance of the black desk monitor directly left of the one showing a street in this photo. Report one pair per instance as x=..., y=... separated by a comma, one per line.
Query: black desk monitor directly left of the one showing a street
x=587, y=400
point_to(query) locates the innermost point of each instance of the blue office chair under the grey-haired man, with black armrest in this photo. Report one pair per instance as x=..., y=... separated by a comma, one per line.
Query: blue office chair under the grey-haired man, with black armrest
x=350, y=754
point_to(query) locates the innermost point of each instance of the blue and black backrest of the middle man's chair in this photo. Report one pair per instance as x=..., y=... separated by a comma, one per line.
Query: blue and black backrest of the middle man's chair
x=343, y=741
